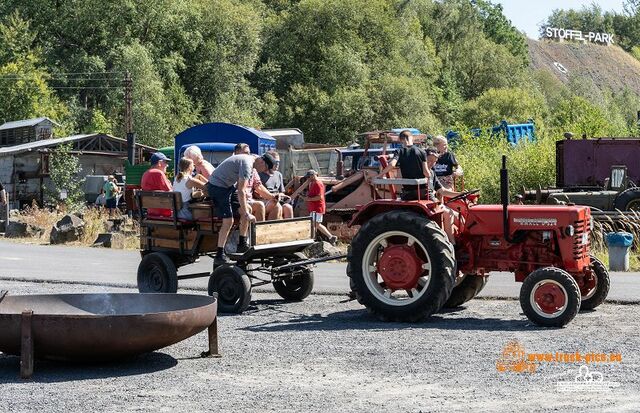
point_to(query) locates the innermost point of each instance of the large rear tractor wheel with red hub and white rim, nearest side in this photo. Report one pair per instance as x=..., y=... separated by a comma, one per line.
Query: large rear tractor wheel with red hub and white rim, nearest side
x=401, y=266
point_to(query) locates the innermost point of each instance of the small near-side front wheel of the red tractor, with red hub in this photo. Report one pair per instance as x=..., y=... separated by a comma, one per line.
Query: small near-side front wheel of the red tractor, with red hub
x=550, y=297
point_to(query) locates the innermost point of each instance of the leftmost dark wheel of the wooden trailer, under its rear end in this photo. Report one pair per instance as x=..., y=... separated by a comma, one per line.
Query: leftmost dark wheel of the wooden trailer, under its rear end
x=157, y=274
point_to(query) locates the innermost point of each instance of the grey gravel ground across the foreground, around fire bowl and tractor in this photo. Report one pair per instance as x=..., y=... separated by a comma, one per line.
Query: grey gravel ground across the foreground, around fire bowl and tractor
x=323, y=355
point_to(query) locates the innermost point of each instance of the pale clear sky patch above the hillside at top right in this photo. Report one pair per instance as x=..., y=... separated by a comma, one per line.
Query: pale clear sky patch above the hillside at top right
x=526, y=15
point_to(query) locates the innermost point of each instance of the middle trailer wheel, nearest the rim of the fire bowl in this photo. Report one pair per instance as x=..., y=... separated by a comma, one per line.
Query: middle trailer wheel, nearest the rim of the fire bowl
x=233, y=287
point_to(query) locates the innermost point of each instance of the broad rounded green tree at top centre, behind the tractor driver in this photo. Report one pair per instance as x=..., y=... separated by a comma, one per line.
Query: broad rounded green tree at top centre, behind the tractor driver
x=339, y=67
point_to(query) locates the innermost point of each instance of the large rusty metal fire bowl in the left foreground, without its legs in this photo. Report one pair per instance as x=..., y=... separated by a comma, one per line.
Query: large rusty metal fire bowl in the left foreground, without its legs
x=103, y=326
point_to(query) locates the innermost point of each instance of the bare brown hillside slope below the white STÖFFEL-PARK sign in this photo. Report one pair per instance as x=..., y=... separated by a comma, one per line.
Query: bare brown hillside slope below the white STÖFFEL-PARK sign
x=608, y=66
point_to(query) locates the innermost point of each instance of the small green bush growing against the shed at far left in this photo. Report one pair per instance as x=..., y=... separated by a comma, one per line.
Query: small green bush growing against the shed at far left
x=64, y=168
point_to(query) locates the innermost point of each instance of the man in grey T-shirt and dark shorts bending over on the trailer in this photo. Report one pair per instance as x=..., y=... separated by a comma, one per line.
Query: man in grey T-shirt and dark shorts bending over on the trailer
x=227, y=188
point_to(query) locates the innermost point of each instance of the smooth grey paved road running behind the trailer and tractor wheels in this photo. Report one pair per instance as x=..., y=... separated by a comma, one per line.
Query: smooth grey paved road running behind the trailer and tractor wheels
x=116, y=267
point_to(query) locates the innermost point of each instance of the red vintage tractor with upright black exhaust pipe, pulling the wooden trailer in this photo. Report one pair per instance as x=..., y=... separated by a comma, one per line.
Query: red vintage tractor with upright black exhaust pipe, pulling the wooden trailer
x=403, y=267
